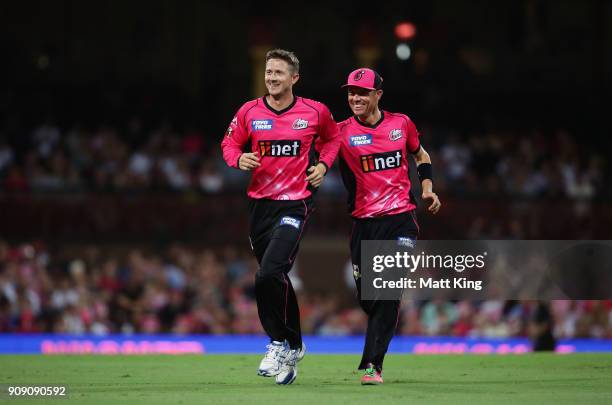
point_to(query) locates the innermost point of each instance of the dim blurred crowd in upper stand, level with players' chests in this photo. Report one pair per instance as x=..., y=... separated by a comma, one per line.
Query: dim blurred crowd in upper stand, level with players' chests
x=526, y=163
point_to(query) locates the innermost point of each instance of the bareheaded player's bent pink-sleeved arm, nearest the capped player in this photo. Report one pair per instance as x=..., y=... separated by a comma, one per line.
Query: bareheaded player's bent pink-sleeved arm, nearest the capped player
x=330, y=144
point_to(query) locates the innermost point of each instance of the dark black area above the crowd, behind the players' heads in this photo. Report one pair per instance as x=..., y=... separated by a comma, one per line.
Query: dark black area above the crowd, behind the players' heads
x=530, y=62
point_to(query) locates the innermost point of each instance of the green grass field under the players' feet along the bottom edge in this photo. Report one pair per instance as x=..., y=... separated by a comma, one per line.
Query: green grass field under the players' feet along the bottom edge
x=322, y=379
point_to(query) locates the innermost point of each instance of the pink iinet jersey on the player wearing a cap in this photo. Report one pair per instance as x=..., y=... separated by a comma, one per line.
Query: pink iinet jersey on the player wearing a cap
x=374, y=166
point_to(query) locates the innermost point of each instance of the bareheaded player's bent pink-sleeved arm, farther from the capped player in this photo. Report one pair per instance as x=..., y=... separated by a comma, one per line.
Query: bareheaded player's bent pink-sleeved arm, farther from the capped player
x=236, y=137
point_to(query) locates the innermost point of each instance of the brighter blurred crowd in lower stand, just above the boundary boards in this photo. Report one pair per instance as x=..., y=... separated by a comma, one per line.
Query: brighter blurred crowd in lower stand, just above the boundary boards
x=199, y=290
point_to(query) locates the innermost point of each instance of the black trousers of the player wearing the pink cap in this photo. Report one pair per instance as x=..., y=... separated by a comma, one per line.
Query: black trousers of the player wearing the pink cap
x=383, y=315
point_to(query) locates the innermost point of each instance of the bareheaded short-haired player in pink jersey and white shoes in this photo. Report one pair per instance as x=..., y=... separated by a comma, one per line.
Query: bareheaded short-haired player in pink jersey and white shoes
x=280, y=130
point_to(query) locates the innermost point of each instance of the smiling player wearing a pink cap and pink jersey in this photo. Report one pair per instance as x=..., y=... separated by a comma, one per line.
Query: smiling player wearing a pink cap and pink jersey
x=375, y=145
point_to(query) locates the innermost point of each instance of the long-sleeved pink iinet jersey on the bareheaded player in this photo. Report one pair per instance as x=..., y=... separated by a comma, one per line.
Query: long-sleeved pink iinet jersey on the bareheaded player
x=285, y=143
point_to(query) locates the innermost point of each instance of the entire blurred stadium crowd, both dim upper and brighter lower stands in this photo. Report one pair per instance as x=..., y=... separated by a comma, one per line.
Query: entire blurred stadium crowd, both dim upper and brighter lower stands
x=189, y=290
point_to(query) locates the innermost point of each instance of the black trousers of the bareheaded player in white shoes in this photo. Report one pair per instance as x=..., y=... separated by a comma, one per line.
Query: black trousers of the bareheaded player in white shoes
x=276, y=228
